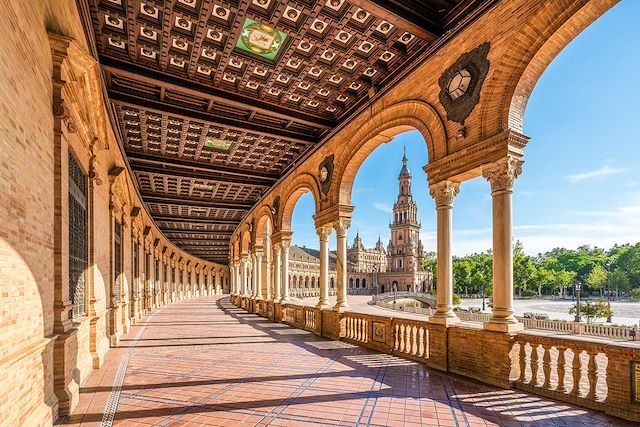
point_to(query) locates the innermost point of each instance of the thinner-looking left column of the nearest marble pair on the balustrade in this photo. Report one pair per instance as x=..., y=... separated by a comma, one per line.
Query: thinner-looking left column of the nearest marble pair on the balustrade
x=443, y=194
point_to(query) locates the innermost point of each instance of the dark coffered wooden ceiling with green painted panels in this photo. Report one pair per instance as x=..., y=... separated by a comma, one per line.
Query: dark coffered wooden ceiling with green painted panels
x=215, y=100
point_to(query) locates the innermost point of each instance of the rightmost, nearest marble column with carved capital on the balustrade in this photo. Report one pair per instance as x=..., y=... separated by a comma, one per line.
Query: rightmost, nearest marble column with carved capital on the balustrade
x=501, y=176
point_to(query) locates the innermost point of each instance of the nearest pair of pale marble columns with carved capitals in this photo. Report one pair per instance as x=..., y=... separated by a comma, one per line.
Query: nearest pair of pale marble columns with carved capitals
x=501, y=176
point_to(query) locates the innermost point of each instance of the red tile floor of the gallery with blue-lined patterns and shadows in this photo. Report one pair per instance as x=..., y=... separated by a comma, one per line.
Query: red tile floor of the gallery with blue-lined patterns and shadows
x=206, y=362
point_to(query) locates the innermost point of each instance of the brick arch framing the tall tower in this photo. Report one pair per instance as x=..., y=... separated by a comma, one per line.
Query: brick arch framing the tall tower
x=381, y=128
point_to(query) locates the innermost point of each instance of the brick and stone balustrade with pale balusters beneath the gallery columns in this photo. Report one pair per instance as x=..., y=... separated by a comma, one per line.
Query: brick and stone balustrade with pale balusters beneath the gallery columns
x=576, y=369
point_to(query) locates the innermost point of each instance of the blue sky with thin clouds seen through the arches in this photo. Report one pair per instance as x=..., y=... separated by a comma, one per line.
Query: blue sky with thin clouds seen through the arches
x=580, y=182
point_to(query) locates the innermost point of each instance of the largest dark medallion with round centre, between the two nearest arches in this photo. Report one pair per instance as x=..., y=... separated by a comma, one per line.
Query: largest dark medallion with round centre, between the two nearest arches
x=460, y=84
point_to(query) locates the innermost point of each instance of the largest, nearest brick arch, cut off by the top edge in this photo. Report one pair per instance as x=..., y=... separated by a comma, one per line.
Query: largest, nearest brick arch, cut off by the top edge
x=514, y=76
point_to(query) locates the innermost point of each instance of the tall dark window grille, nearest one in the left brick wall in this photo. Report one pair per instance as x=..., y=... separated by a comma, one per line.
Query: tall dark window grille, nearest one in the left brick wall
x=78, y=241
